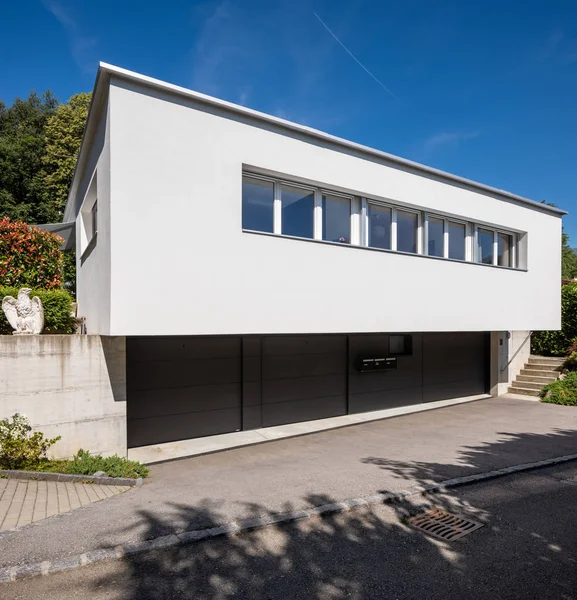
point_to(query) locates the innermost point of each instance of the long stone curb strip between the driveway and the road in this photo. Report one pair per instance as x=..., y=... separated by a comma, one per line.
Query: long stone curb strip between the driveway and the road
x=8, y=574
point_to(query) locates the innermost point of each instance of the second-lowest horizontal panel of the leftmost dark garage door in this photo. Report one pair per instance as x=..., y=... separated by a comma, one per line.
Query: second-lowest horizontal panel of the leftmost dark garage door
x=151, y=403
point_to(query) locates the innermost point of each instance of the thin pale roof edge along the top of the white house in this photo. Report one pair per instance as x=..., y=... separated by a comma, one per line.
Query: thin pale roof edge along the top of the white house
x=105, y=71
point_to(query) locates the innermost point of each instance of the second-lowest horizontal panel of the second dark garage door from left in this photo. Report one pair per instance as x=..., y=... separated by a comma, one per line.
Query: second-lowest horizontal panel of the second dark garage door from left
x=285, y=390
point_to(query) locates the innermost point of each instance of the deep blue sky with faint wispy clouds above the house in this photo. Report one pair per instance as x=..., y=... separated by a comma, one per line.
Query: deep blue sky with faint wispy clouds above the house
x=486, y=90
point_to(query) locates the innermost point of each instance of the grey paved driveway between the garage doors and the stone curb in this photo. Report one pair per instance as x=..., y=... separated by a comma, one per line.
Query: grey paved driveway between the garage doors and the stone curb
x=388, y=455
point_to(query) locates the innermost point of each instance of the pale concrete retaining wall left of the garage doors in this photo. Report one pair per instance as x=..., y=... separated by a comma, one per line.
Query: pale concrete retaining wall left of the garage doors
x=68, y=385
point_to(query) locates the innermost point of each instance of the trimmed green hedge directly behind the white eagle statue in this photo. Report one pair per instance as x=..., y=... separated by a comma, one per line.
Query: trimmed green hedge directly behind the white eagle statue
x=57, y=305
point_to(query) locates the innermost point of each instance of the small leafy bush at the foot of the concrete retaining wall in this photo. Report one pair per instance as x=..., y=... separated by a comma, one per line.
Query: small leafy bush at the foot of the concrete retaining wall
x=20, y=448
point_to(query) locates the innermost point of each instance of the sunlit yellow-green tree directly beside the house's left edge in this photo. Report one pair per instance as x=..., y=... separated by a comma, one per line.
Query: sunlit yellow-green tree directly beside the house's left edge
x=63, y=132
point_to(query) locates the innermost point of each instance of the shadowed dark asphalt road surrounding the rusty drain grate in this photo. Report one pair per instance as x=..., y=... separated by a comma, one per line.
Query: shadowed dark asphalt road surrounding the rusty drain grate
x=527, y=549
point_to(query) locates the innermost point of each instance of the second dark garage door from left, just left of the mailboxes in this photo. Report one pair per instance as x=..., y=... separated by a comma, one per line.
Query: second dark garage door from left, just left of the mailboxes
x=303, y=378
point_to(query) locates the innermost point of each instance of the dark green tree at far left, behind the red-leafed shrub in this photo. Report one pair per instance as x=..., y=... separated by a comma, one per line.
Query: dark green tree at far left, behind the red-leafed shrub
x=22, y=144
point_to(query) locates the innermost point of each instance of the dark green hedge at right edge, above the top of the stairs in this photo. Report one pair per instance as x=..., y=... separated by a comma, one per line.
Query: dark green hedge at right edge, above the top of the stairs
x=556, y=343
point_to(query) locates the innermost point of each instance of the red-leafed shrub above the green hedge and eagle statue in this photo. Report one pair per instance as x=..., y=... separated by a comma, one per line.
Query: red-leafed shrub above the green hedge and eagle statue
x=29, y=256
